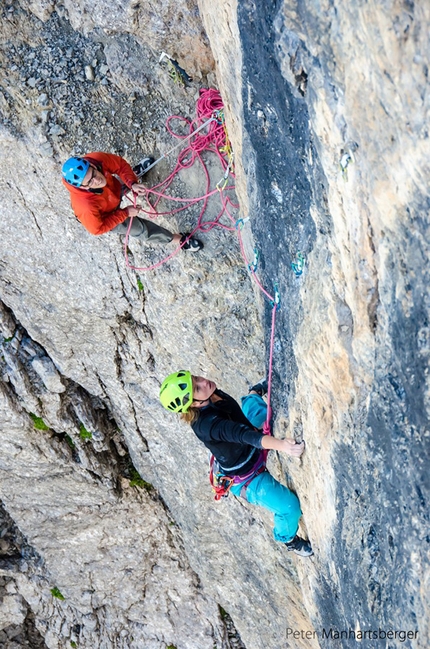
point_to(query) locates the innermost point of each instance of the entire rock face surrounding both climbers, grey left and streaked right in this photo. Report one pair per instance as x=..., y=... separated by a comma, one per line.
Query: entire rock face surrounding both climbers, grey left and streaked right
x=106, y=499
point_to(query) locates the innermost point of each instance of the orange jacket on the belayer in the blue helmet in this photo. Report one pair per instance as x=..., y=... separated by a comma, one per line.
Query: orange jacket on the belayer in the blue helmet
x=100, y=213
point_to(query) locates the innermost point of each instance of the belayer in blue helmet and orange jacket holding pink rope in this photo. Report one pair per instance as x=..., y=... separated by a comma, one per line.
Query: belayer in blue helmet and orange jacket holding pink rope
x=96, y=194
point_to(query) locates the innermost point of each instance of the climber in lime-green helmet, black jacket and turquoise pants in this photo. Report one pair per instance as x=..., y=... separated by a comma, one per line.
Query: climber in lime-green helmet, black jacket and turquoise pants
x=239, y=448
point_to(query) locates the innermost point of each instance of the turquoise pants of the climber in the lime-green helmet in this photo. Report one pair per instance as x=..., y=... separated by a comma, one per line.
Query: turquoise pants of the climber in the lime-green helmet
x=264, y=490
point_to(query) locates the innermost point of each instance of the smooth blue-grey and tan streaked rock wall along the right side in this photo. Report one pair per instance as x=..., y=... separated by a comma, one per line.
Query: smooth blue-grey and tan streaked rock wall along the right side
x=335, y=110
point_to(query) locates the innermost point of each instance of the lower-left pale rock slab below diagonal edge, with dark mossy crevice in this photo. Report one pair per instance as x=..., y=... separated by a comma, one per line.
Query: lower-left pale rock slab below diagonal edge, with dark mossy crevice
x=110, y=568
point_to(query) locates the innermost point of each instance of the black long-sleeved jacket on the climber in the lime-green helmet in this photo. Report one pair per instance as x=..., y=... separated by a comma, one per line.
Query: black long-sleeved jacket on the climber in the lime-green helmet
x=227, y=433
